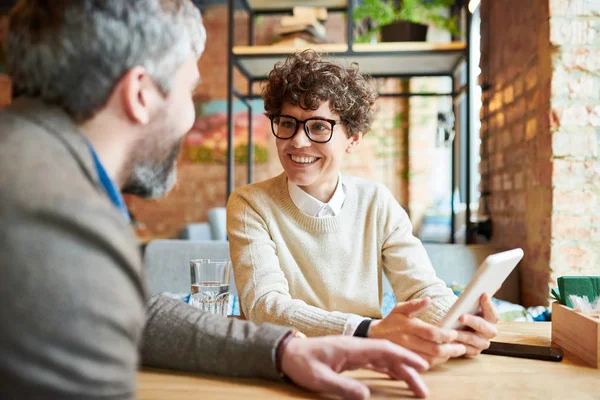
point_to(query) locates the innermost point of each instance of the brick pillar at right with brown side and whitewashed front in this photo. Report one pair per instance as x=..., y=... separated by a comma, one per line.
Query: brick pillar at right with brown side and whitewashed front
x=539, y=127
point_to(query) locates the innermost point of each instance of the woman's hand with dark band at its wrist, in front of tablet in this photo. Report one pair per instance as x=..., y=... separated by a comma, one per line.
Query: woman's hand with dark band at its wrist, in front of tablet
x=401, y=327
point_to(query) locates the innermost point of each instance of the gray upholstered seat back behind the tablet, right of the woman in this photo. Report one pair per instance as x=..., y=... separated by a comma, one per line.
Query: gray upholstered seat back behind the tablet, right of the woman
x=457, y=263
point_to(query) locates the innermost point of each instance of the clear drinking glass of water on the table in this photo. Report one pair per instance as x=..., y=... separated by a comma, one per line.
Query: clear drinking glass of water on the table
x=210, y=285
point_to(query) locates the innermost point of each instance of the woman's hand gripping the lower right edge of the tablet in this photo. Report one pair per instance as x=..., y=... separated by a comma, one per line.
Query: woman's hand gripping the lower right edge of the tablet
x=482, y=328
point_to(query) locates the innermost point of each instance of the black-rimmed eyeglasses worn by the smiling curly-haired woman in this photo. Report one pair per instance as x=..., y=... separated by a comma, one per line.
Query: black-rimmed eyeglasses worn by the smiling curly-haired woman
x=318, y=130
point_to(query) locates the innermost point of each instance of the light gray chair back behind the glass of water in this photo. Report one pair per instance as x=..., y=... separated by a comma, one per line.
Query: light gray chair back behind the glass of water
x=167, y=263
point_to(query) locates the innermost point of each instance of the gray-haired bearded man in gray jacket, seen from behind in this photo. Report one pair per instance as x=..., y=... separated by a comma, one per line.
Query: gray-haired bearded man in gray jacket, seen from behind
x=103, y=99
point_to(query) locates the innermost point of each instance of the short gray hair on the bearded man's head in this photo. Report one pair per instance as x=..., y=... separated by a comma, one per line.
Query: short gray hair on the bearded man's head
x=73, y=52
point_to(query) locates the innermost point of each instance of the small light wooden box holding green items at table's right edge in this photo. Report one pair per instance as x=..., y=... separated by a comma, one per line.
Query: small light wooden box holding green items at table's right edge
x=576, y=333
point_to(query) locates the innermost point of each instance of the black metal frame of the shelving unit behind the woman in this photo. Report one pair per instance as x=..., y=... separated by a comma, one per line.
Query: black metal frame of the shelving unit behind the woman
x=234, y=61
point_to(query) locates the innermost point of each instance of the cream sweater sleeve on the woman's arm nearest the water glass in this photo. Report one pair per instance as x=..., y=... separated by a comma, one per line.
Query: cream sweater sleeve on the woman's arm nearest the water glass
x=262, y=286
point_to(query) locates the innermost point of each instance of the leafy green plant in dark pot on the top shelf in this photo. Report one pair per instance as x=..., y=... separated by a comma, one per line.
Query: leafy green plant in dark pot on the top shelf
x=403, y=20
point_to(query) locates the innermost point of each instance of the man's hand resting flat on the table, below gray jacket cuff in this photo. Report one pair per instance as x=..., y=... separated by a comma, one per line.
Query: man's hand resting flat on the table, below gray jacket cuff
x=316, y=363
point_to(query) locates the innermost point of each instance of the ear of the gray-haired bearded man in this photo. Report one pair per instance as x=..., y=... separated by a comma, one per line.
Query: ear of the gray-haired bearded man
x=138, y=95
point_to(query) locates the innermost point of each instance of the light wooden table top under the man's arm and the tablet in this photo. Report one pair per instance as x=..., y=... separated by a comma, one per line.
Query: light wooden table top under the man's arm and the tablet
x=483, y=377
